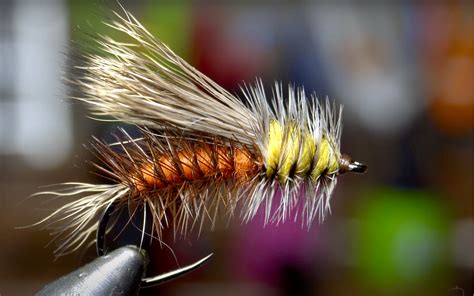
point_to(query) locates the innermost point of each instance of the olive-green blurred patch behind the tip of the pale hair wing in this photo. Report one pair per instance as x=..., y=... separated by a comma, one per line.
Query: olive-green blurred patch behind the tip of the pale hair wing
x=169, y=20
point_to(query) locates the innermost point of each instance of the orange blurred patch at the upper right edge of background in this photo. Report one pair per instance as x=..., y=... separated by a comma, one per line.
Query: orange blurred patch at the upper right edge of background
x=450, y=61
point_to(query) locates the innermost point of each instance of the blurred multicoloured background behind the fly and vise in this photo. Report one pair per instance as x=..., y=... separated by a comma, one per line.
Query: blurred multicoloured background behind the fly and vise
x=403, y=72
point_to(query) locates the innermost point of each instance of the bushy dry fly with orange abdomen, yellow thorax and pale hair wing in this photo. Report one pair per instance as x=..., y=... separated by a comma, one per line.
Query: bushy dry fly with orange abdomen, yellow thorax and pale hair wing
x=203, y=152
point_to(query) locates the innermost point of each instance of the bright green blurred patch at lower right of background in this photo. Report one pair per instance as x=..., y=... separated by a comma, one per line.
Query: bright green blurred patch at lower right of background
x=403, y=240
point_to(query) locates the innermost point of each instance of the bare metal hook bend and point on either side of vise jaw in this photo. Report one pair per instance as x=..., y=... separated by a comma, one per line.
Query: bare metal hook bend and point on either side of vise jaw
x=149, y=281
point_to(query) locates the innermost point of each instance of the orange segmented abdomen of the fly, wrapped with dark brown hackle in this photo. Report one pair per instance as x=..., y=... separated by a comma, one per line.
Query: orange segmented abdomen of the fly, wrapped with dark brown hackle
x=151, y=165
